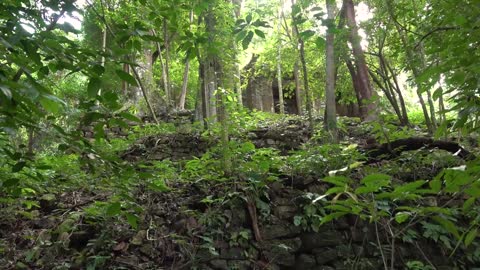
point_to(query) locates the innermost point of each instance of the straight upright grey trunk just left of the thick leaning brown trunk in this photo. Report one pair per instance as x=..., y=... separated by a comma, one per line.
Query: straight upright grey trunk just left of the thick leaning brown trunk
x=331, y=114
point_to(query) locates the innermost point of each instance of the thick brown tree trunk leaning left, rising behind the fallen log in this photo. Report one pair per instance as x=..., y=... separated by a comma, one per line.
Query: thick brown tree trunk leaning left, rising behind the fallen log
x=366, y=93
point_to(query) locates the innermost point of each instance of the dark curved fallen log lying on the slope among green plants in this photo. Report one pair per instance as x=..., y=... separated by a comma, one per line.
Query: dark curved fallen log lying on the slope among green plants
x=393, y=149
